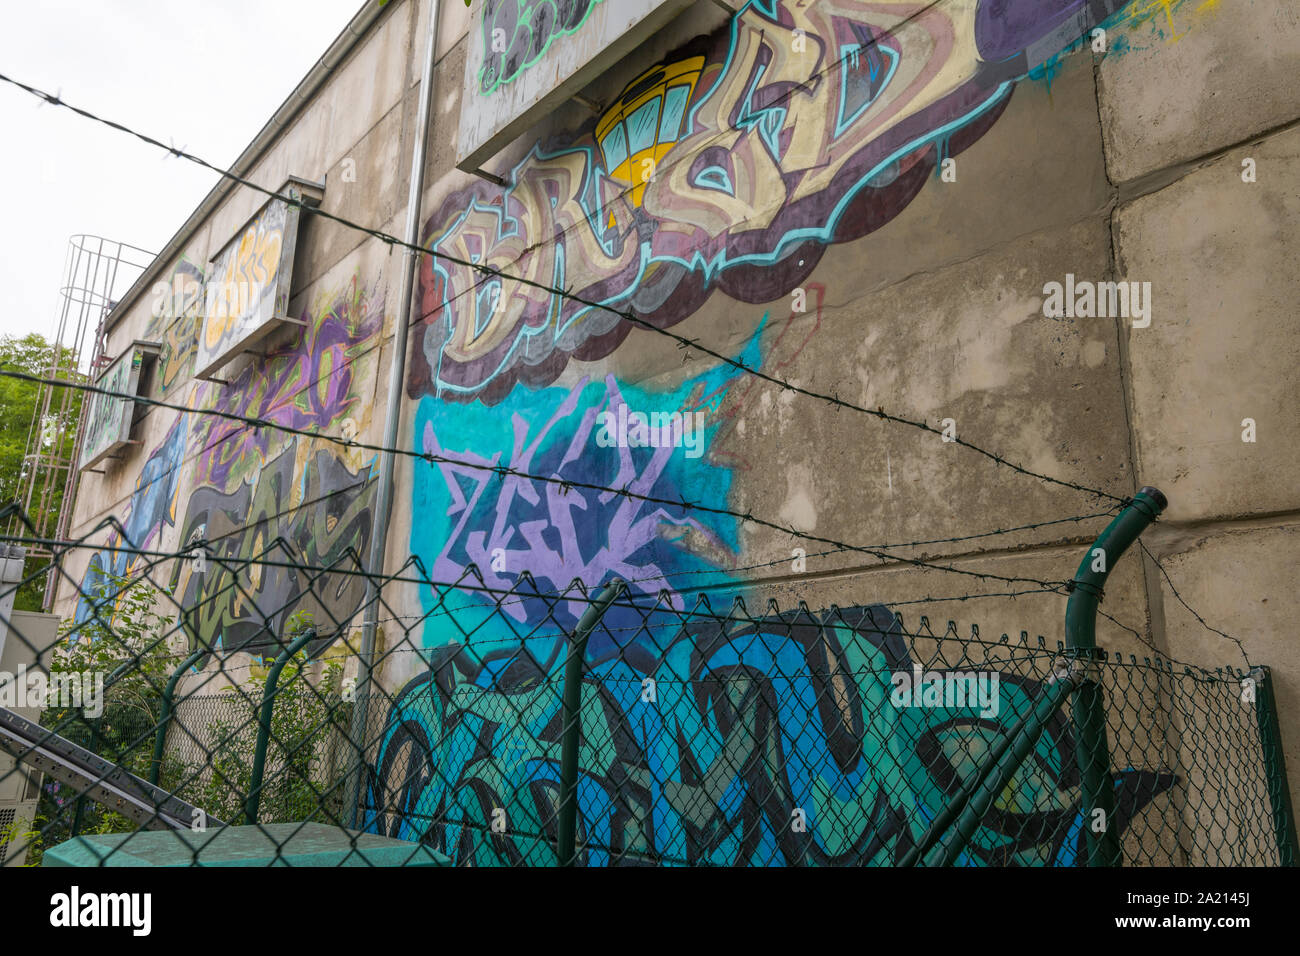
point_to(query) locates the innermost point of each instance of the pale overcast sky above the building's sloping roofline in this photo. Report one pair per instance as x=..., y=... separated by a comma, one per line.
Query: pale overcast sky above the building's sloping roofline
x=206, y=75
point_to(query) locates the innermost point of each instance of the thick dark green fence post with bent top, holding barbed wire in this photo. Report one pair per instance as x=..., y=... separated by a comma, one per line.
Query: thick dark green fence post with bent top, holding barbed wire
x=1081, y=638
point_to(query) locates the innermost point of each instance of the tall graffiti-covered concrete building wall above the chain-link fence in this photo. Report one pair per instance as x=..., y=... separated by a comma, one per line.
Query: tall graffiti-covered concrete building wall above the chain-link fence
x=887, y=236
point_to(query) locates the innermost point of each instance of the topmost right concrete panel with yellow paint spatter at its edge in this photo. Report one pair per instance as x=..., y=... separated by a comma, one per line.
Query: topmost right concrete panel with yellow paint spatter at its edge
x=1229, y=73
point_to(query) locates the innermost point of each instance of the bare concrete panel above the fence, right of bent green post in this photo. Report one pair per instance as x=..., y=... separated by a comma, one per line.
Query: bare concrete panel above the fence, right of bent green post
x=1243, y=583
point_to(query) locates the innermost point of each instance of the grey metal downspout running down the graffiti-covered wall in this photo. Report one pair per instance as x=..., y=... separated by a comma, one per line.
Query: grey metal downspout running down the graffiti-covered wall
x=393, y=418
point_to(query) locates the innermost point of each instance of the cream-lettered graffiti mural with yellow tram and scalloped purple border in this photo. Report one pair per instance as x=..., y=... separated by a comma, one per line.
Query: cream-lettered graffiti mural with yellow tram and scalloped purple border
x=731, y=167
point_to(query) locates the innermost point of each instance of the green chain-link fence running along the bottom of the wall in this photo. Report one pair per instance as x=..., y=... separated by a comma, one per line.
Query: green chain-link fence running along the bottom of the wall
x=694, y=734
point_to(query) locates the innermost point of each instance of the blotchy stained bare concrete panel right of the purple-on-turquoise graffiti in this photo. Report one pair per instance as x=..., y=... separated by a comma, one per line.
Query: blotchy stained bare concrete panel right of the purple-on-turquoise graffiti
x=970, y=344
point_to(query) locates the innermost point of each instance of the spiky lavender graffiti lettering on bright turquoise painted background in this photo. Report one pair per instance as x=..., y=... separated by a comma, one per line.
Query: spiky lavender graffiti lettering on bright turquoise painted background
x=512, y=526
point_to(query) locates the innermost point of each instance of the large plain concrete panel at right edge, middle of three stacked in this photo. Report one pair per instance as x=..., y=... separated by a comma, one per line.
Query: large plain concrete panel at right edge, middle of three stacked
x=1224, y=343
